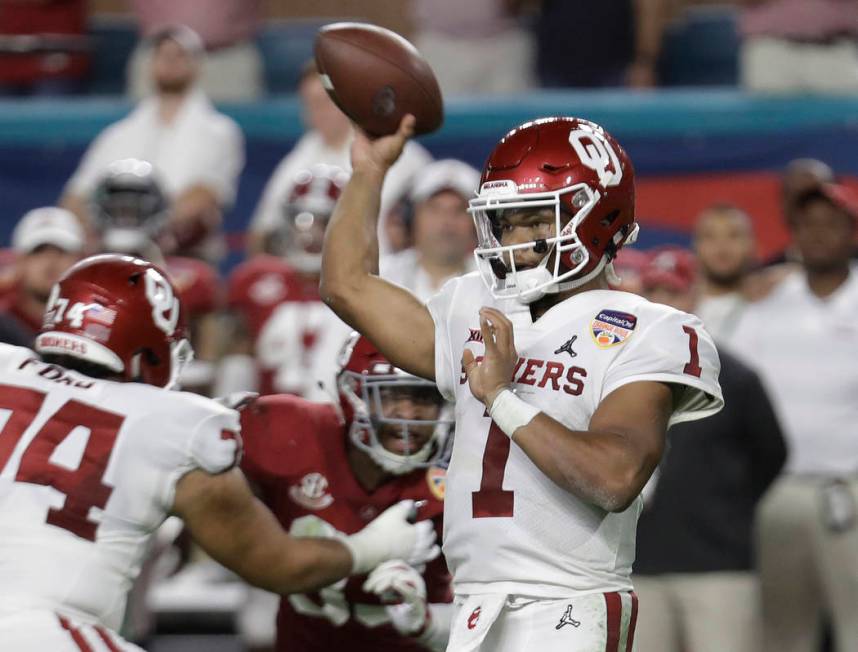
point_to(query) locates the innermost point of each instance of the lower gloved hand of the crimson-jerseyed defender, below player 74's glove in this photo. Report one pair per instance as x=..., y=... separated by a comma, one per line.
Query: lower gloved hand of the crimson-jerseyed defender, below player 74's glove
x=402, y=588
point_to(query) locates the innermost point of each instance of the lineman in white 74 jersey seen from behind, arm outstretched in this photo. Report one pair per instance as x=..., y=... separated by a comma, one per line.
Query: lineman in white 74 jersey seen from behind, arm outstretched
x=95, y=453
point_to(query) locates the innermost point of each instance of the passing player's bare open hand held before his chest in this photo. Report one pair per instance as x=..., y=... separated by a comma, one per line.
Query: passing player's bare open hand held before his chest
x=488, y=377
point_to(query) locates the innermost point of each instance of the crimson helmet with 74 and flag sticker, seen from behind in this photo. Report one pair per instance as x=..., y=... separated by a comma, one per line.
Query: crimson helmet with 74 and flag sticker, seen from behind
x=120, y=313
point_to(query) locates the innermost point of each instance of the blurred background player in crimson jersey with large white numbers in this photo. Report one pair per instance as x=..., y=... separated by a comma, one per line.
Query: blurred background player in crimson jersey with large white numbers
x=291, y=334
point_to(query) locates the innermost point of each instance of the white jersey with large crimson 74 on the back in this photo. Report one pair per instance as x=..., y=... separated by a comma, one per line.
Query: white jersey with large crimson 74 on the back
x=88, y=471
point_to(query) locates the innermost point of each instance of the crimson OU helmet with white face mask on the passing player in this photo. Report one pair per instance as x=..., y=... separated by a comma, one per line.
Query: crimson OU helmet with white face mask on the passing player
x=575, y=167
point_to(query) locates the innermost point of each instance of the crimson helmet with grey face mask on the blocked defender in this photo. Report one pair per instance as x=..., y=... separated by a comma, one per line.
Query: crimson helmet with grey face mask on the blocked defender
x=372, y=391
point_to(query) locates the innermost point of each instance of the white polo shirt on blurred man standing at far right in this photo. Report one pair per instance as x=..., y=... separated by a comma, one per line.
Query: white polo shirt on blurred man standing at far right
x=806, y=350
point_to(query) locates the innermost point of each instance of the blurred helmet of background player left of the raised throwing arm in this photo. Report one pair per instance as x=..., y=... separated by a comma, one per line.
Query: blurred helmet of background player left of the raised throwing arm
x=306, y=212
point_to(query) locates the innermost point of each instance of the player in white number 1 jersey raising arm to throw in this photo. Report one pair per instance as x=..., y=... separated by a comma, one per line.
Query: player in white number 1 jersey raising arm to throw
x=563, y=388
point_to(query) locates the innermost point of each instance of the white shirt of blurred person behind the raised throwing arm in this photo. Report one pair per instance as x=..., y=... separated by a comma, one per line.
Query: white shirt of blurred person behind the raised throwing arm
x=311, y=150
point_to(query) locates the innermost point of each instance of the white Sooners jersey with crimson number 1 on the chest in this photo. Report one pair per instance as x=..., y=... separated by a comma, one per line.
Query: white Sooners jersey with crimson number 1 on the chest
x=507, y=527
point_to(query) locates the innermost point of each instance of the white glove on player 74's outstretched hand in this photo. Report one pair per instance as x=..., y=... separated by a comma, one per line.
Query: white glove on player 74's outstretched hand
x=392, y=536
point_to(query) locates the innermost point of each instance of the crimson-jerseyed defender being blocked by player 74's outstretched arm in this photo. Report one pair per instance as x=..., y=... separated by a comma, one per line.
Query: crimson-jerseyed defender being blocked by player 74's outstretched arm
x=332, y=469
